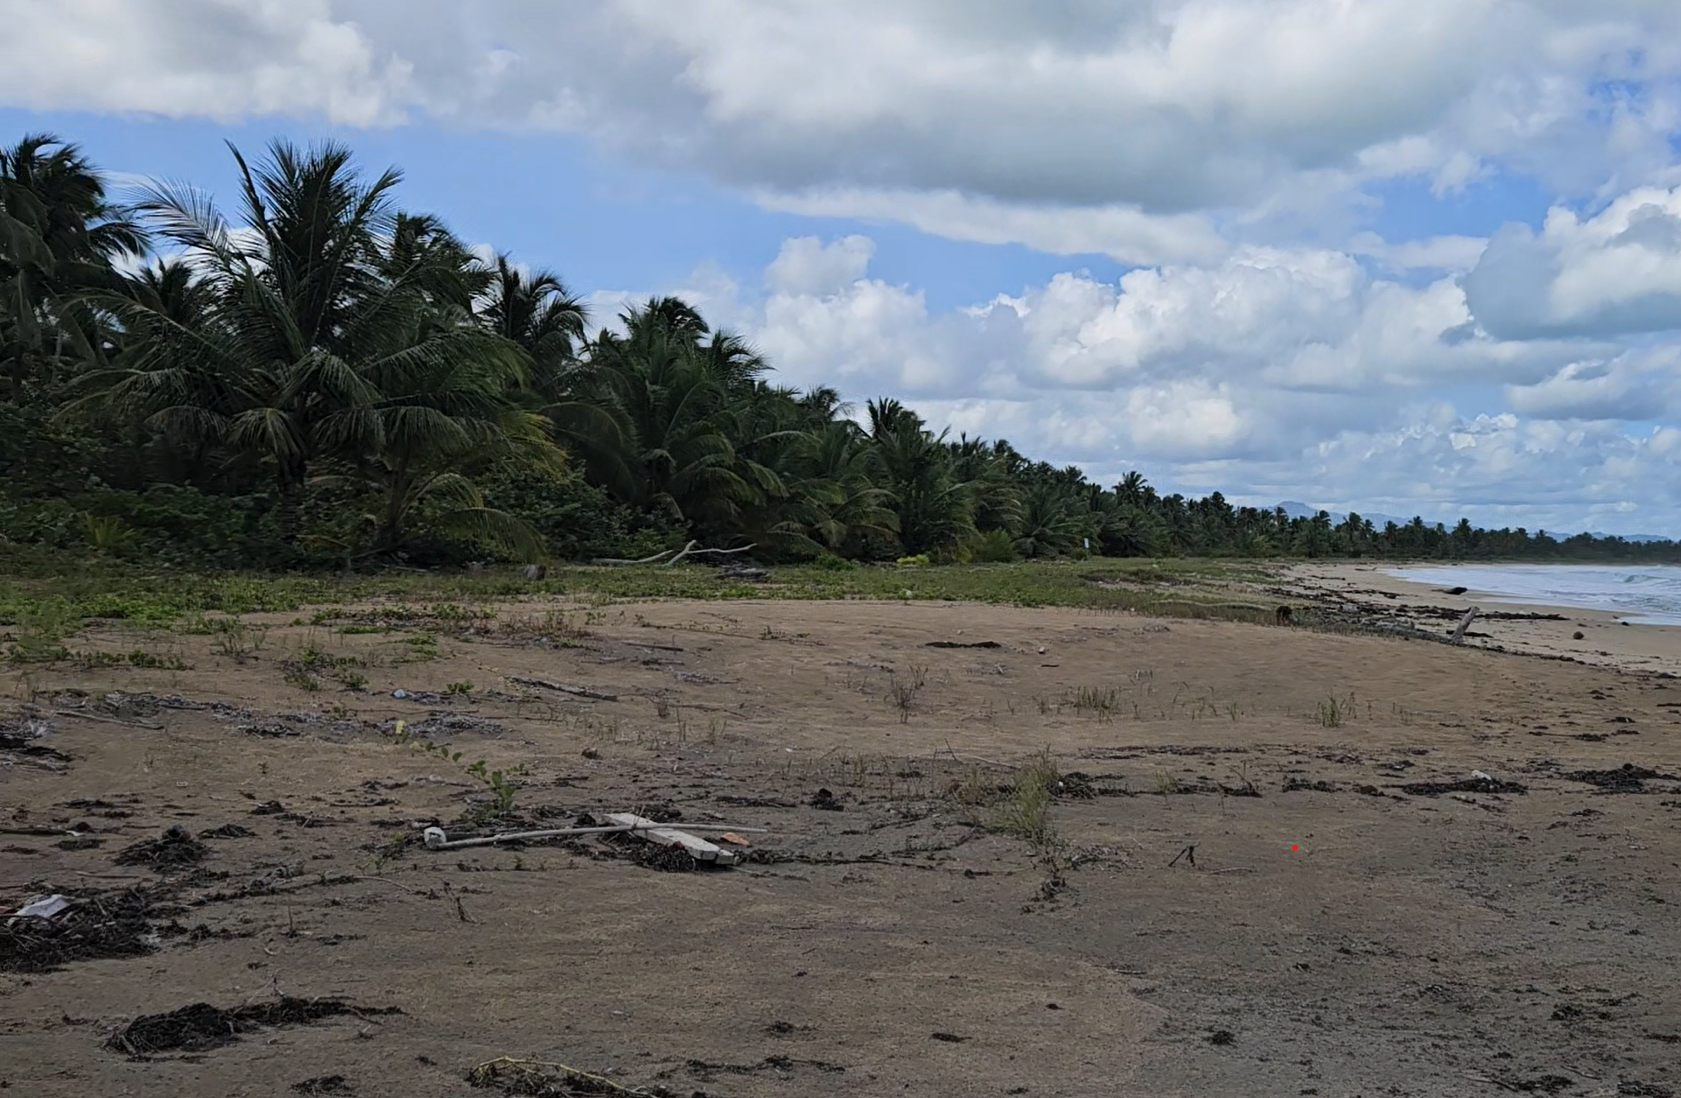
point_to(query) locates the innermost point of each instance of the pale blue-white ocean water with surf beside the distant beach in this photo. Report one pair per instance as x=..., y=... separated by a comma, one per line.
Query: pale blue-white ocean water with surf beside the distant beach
x=1641, y=594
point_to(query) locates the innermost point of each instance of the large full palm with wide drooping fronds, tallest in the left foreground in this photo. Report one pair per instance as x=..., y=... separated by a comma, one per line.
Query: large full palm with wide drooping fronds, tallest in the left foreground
x=332, y=324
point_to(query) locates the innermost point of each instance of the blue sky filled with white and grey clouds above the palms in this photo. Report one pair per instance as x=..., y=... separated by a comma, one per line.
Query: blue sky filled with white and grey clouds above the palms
x=1406, y=256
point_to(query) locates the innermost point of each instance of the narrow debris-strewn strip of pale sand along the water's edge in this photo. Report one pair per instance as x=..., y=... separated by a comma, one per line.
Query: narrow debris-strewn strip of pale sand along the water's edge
x=1367, y=591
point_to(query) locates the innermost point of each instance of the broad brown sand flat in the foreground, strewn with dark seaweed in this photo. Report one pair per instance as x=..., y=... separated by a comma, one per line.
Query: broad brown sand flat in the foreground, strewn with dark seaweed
x=1270, y=868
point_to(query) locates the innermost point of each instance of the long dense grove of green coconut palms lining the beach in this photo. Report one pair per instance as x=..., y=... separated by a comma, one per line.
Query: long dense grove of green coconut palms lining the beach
x=327, y=379
